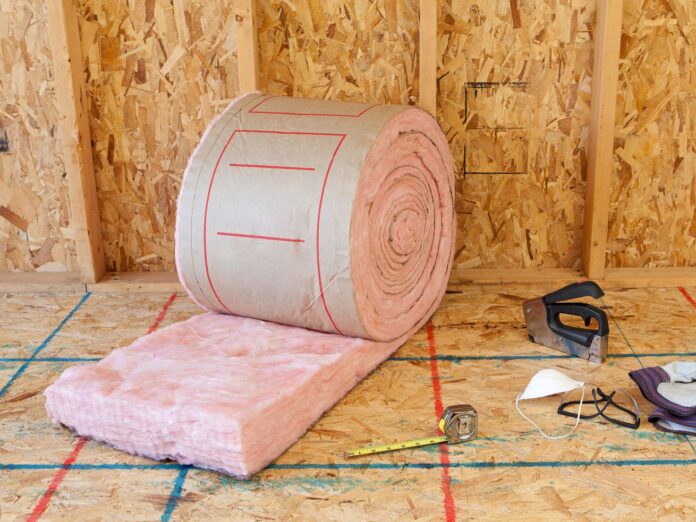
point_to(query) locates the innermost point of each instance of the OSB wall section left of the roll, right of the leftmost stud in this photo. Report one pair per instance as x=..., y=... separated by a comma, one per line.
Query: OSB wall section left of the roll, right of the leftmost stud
x=158, y=71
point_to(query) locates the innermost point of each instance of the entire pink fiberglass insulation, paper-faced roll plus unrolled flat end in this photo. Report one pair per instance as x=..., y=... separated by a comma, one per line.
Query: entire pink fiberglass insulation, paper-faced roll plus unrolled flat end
x=313, y=215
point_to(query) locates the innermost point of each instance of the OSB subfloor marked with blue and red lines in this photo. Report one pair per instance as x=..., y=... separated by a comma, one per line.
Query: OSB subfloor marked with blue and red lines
x=482, y=357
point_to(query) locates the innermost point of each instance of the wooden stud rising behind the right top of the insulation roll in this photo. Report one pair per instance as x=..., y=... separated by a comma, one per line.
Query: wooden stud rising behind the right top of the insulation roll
x=427, y=49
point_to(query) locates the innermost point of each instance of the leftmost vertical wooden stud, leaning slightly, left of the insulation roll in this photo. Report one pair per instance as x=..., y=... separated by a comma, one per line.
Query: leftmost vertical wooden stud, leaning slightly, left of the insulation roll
x=75, y=137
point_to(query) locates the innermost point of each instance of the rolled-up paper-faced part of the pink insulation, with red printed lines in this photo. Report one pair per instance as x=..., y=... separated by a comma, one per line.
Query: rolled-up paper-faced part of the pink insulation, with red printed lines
x=331, y=216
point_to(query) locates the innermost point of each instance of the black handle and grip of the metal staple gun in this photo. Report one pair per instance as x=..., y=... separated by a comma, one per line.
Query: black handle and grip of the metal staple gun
x=586, y=311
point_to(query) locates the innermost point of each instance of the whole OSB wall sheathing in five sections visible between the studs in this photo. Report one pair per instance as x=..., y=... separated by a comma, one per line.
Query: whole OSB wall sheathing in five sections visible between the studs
x=514, y=96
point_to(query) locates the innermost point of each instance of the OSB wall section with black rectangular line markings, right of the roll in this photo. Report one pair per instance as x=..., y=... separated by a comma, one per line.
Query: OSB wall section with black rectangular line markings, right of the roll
x=514, y=100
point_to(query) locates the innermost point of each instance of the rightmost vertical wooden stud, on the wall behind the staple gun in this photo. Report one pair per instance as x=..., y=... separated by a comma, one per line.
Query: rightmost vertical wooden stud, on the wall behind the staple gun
x=600, y=147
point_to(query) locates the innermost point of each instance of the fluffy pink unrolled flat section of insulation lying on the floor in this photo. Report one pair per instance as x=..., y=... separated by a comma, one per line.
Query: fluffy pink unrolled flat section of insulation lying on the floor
x=216, y=391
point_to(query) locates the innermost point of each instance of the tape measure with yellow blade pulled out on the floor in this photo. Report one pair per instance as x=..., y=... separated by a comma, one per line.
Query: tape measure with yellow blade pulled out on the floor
x=458, y=423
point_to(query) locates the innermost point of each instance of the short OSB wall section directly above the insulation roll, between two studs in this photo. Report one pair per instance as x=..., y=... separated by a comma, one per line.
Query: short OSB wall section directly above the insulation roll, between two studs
x=351, y=50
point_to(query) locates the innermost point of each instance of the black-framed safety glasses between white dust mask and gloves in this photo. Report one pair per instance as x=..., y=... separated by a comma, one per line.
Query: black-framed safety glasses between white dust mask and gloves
x=618, y=407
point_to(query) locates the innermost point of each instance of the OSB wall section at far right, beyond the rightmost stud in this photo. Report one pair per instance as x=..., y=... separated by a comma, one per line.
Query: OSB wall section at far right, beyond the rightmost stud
x=652, y=219
